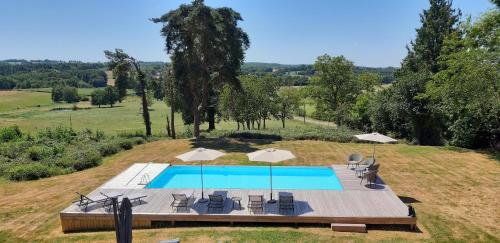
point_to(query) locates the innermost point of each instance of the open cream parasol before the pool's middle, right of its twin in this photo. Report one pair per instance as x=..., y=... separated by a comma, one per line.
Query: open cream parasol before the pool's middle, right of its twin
x=270, y=155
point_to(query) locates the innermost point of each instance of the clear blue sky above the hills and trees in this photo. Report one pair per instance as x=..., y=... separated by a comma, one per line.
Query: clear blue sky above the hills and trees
x=368, y=32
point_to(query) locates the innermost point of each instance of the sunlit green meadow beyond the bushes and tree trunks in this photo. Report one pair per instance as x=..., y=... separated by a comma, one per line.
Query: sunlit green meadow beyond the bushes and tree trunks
x=21, y=108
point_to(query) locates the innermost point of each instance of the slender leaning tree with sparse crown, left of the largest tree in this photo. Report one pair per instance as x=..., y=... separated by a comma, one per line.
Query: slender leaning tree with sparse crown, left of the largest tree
x=121, y=60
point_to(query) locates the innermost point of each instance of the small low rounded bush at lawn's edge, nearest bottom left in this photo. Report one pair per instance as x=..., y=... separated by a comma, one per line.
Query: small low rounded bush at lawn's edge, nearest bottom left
x=31, y=171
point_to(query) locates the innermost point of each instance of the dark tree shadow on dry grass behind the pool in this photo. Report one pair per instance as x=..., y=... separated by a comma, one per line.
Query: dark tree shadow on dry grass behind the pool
x=228, y=145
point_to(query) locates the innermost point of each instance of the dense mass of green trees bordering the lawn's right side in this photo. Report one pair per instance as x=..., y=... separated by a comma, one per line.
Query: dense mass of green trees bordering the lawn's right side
x=446, y=91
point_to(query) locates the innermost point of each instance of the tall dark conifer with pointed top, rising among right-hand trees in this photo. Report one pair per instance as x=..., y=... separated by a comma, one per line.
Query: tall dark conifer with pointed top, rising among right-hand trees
x=438, y=22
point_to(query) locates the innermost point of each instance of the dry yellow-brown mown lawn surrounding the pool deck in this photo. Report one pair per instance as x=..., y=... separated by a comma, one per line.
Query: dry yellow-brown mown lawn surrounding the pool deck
x=455, y=193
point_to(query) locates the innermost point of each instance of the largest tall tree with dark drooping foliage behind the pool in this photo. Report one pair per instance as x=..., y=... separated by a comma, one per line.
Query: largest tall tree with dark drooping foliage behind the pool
x=207, y=50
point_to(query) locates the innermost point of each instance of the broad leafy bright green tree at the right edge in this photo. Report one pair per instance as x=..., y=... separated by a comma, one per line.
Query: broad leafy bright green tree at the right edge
x=467, y=91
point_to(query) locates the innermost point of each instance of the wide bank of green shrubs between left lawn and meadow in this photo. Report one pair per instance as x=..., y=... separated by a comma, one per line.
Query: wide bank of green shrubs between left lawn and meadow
x=56, y=151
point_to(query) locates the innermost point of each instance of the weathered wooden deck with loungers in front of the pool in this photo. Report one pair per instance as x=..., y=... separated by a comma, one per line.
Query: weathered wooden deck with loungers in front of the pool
x=355, y=204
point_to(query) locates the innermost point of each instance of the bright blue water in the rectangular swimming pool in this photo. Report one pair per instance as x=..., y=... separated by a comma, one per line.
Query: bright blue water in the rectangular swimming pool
x=247, y=177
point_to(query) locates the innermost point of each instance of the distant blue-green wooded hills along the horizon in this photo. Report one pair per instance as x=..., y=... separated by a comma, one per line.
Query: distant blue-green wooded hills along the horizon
x=20, y=73
